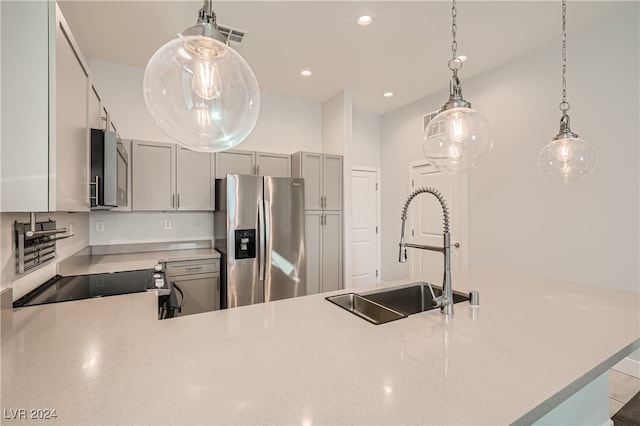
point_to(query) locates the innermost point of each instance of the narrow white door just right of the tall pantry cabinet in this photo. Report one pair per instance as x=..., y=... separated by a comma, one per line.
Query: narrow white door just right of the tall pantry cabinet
x=364, y=227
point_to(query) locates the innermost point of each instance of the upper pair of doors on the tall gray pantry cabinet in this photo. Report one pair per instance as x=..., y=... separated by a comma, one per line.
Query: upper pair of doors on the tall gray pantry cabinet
x=322, y=175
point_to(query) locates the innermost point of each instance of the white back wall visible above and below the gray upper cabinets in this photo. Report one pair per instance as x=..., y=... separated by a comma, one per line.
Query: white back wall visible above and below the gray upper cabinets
x=285, y=125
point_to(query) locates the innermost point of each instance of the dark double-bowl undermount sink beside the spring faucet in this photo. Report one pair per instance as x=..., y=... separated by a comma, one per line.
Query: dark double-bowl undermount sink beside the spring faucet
x=381, y=306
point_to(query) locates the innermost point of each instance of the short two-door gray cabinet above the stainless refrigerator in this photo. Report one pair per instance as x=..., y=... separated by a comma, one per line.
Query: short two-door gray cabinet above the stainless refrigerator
x=238, y=162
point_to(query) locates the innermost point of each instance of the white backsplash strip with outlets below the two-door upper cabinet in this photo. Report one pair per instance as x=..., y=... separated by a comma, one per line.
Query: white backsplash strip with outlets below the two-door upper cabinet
x=107, y=228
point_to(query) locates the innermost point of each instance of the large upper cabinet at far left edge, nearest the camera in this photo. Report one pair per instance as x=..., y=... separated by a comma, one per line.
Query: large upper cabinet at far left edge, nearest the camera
x=45, y=92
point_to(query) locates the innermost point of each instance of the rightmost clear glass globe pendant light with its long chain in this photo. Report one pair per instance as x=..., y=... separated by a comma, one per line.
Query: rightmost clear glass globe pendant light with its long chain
x=568, y=158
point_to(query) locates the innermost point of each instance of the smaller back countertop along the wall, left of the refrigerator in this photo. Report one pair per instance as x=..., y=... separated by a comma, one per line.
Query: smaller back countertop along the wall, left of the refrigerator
x=102, y=263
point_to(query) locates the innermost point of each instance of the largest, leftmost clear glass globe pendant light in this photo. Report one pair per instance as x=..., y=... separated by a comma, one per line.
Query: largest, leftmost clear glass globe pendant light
x=200, y=91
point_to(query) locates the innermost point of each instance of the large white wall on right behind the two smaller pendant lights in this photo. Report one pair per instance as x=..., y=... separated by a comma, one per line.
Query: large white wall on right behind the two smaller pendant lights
x=586, y=232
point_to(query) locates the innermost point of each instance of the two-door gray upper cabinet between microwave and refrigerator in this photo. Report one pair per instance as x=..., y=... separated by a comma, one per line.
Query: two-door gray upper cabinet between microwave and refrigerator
x=168, y=177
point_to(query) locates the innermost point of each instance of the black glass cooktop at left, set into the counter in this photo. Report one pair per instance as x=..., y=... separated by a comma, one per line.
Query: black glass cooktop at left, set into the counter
x=64, y=289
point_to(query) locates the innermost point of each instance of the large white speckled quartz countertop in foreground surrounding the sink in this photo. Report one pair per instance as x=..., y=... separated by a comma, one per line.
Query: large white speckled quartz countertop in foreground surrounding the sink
x=532, y=343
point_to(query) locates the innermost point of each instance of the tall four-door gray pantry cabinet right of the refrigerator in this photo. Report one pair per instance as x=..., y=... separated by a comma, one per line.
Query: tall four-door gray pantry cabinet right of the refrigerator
x=323, y=186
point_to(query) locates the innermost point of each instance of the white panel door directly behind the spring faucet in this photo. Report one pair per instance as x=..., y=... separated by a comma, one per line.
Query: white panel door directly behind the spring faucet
x=425, y=223
